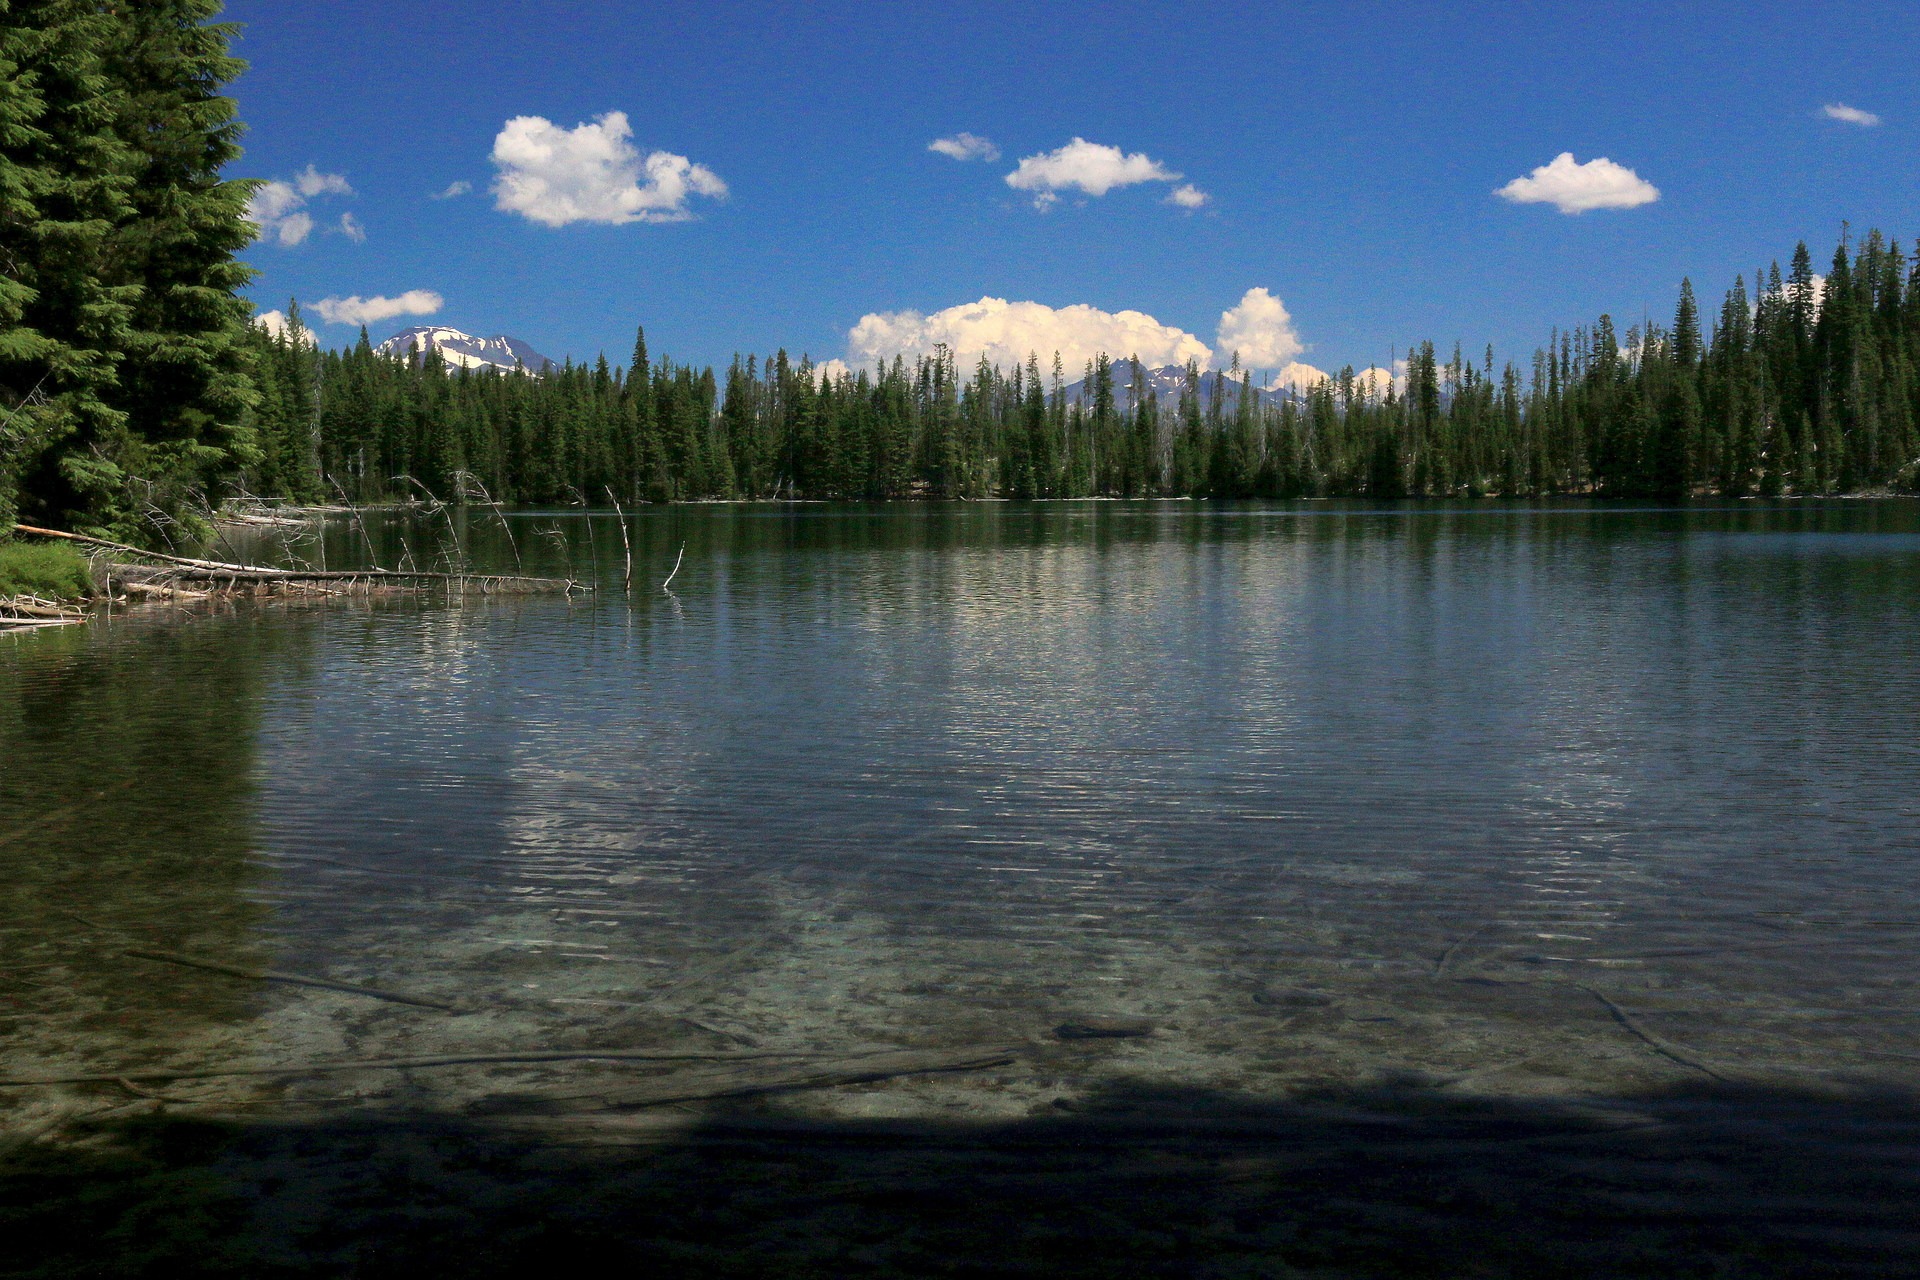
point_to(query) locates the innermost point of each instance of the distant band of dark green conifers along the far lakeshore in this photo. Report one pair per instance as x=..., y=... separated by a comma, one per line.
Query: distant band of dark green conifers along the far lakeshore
x=1798, y=387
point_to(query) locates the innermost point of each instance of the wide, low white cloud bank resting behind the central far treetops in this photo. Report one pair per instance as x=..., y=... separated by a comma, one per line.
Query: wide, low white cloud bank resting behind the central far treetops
x=1009, y=331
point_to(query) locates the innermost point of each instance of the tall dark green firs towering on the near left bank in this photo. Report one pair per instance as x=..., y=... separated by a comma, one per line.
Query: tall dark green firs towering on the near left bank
x=124, y=343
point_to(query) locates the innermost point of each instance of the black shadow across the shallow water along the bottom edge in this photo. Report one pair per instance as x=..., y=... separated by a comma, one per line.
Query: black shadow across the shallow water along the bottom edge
x=1136, y=1183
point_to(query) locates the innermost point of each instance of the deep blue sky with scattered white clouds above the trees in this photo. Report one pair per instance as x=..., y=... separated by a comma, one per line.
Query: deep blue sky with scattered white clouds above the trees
x=1349, y=156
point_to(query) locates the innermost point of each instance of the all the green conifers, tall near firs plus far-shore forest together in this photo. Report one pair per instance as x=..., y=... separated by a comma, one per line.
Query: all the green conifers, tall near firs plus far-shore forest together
x=135, y=394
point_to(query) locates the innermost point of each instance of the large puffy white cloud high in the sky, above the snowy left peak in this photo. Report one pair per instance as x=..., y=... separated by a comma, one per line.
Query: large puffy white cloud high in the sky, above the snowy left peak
x=592, y=174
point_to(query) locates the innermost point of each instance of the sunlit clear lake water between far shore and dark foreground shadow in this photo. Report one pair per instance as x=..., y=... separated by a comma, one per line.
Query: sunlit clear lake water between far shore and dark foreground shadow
x=1510, y=801
